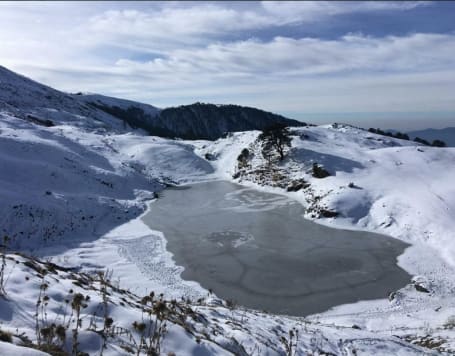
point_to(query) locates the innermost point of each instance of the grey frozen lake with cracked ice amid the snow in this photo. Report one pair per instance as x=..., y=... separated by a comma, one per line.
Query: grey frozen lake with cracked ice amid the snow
x=256, y=248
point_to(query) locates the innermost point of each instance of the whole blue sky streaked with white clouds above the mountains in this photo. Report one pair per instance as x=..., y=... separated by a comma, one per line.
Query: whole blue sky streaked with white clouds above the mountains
x=372, y=64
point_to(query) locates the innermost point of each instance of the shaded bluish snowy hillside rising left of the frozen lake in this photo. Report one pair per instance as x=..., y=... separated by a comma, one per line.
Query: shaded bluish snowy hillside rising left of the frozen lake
x=64, y=181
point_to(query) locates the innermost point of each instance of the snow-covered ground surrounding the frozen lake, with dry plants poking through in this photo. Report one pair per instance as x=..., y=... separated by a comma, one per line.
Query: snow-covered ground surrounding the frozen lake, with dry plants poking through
x=75, y=195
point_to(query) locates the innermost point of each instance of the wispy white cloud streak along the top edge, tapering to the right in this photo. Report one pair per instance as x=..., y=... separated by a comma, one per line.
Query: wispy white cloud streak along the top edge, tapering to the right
x=202, y=22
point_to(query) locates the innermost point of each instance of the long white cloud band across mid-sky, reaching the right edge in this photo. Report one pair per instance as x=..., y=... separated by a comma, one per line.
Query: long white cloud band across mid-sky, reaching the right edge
x=307, y=56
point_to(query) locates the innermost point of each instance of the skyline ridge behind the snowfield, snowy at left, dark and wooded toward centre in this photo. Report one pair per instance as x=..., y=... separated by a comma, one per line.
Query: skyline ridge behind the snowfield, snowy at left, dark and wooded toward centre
x=44, y=105
